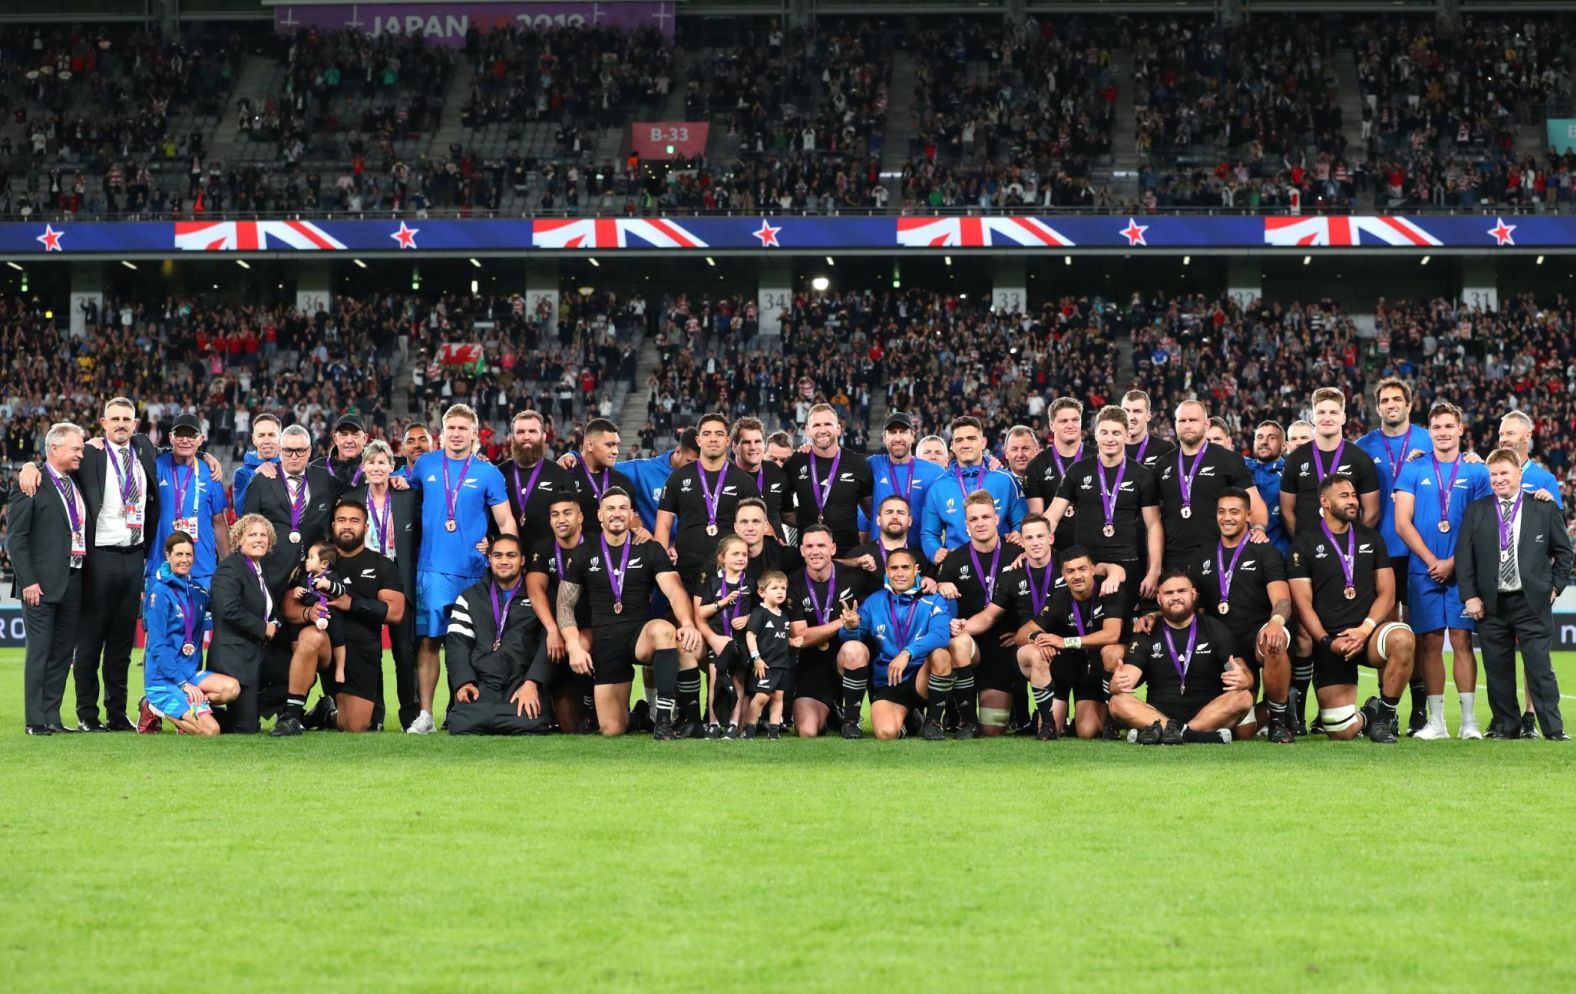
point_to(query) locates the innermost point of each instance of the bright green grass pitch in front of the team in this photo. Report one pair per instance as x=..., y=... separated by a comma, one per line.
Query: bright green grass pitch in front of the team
x=400, y=864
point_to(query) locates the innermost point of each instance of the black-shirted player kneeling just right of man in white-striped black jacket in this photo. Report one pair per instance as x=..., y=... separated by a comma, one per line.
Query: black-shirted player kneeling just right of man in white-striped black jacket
x=574, y=694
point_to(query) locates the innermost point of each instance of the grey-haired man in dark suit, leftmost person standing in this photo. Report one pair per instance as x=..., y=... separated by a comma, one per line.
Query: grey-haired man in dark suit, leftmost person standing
x=50, y=546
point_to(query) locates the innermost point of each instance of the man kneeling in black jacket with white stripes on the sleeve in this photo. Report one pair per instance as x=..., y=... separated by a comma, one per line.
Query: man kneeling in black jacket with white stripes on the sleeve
x=492, y=640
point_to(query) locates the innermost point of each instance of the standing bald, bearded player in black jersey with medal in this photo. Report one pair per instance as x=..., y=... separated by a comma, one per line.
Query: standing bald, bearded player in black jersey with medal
x=1191, y=478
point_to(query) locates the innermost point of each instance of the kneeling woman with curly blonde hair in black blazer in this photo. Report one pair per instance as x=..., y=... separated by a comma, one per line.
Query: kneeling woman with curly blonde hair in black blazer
x=245, y=618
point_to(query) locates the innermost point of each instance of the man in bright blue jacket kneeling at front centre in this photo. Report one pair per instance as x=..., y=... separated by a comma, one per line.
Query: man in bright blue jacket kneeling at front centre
x=909, y=632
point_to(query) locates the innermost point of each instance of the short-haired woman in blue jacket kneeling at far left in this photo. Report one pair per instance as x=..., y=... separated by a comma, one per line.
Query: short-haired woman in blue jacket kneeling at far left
x=176, y=620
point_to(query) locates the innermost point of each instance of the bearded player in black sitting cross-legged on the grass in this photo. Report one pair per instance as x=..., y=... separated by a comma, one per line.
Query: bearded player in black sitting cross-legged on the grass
x=1199, y=688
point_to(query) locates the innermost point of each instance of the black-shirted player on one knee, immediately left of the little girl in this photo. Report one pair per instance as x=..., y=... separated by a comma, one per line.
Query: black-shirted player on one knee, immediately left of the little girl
x=619, y=576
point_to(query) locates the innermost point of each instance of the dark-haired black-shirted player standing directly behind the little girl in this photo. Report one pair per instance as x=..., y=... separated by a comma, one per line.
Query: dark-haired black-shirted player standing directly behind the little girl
x=702, y=500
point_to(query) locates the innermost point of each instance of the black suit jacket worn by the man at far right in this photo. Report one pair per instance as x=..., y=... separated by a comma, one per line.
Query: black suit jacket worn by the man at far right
x=1544, y=554
